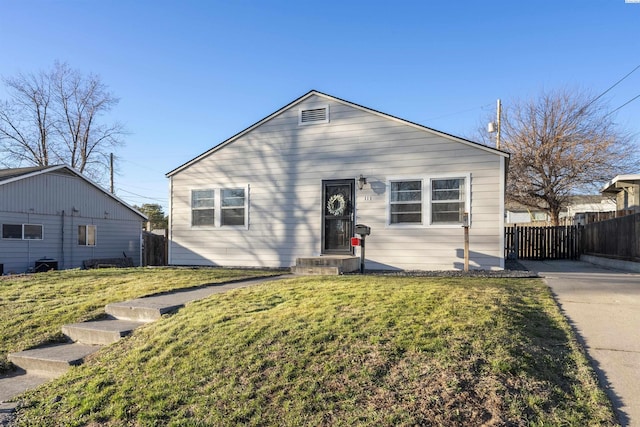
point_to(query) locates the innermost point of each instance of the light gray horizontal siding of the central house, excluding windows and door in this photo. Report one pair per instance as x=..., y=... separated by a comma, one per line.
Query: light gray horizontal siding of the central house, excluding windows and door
x=284, y=164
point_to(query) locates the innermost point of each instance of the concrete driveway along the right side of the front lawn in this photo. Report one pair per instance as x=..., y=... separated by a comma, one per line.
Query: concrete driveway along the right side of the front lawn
x=603, y=306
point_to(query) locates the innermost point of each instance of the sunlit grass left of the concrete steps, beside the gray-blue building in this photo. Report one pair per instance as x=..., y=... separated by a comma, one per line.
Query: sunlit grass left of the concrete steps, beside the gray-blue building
x=34, y=307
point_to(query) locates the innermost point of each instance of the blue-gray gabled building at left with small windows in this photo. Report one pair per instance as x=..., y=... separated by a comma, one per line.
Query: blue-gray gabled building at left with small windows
x=55, y=214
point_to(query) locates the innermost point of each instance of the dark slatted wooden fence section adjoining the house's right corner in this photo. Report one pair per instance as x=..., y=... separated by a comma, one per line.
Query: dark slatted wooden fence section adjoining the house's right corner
x=541, y=243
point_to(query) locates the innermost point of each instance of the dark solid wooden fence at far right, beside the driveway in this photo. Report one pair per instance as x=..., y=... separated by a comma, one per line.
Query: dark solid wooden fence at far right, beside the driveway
x=617, y=238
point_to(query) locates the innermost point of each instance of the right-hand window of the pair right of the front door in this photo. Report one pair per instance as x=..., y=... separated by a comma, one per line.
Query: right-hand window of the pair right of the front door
x=448, y=201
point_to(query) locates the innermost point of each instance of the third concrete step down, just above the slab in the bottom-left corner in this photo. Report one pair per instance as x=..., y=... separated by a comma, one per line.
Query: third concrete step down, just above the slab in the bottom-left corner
x=52, y=361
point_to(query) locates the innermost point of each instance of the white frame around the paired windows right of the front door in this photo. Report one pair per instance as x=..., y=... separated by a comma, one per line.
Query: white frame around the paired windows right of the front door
x=426, y=199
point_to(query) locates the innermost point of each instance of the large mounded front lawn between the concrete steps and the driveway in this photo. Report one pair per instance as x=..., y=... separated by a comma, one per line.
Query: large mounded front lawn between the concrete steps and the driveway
x=349, y=350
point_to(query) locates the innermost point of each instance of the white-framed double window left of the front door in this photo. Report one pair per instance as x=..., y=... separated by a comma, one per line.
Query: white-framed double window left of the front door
x=219, y=207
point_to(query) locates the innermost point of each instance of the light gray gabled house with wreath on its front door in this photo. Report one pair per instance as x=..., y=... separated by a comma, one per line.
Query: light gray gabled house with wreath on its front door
x=295, y=183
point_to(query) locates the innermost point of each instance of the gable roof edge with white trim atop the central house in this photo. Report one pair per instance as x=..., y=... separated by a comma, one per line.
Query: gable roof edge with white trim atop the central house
x=342, y=101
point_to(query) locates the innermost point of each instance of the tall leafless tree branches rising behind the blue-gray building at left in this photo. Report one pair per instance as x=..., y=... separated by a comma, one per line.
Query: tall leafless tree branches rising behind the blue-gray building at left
x=55, y=117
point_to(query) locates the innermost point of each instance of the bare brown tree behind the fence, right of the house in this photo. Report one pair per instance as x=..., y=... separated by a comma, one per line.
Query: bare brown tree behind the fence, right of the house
x=562, y=143
